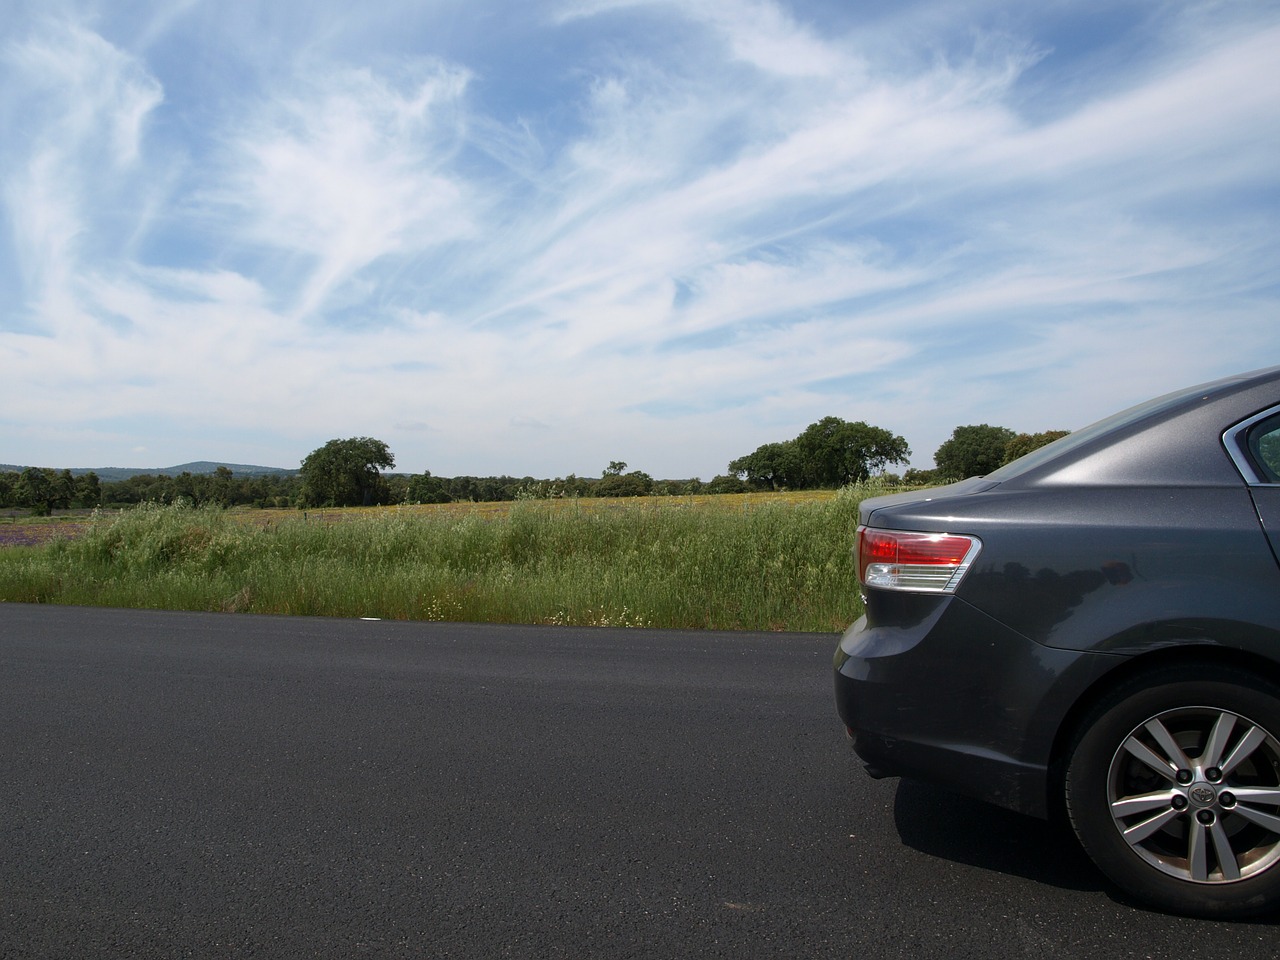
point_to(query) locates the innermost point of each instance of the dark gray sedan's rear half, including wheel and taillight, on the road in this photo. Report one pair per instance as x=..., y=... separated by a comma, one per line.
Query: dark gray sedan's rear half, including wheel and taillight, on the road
x=1095, y=630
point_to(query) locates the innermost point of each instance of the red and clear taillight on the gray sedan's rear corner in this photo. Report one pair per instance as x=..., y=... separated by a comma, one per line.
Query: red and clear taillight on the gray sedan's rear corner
x=903, y=560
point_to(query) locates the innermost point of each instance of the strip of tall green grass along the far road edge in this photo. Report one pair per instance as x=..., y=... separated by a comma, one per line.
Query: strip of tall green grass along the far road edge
x=648, y=563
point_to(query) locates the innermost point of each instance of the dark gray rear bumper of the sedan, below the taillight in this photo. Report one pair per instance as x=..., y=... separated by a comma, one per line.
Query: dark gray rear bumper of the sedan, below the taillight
x=958, y=700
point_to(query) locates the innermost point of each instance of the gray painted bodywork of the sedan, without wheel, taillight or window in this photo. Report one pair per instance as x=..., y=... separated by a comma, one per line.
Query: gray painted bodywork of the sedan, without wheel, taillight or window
x=1140, y=537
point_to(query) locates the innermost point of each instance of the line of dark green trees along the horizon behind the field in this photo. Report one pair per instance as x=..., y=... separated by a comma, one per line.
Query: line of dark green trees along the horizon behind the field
x=829, y=454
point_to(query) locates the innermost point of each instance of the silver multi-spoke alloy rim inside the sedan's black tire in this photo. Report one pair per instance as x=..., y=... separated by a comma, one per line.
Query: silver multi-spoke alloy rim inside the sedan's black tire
x=1196, y=793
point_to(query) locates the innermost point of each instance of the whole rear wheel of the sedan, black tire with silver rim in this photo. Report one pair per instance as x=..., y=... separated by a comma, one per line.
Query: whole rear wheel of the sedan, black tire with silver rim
x=1173, y=788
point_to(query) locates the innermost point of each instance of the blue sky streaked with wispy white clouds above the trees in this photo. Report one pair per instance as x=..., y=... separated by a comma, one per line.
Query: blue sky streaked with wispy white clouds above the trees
x=533, y=239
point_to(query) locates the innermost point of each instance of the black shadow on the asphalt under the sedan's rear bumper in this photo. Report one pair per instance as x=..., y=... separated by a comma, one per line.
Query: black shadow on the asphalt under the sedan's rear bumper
x=954, y=828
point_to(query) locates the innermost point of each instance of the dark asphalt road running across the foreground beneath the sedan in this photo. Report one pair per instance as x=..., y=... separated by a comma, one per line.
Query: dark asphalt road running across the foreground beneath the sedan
x=234, y=787
